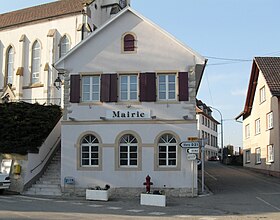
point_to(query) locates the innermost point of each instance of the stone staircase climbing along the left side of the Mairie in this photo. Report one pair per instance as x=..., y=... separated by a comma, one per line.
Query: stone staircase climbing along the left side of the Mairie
x=49, y=183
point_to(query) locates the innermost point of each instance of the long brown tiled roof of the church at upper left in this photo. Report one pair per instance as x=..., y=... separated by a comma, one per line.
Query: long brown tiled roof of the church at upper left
x=41, y=12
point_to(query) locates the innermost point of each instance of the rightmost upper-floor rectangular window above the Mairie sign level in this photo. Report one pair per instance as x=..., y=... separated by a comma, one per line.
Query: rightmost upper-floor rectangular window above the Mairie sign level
x=166, y=87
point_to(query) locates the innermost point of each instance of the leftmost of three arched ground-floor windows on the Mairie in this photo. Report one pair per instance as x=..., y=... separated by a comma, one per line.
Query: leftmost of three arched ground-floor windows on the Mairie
x=89, y=151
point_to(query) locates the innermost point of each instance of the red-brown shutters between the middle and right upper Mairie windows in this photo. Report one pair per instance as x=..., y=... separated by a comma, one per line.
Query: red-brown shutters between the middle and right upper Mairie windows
x=147, y=87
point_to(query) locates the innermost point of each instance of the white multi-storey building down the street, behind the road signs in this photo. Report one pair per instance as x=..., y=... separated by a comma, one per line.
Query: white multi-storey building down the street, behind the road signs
x=207, y=127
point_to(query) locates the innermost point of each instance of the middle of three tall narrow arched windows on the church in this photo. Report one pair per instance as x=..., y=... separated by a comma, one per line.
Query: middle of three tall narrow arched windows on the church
x=36, y=62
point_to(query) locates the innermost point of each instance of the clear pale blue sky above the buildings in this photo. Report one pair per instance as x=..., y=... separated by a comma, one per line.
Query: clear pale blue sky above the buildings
x=228, y=33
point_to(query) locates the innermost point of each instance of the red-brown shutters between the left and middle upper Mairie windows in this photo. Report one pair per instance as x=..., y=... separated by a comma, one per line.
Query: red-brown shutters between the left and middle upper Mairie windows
x=109, y=88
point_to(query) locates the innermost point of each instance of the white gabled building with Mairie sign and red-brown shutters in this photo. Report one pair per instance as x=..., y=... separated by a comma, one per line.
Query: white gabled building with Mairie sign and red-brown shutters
x=130, y=99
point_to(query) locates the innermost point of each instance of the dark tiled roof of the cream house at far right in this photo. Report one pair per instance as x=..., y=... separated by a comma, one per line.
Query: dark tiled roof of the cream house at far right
x=270, y=67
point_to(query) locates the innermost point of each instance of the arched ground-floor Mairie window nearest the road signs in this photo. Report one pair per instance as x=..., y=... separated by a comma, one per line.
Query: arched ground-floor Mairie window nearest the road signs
x=167, y=151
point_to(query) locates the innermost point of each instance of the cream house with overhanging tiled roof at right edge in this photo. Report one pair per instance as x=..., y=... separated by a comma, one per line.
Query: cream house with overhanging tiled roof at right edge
x=261, y=147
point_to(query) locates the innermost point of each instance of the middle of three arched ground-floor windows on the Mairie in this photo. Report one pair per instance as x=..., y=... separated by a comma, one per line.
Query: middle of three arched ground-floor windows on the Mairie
x=128, y=151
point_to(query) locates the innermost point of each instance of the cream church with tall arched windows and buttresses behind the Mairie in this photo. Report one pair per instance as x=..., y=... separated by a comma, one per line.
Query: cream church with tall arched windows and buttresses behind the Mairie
x=32, y=39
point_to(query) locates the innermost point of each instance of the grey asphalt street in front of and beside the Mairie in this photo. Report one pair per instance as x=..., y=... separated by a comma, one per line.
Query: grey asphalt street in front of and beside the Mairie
x=236, y=194
